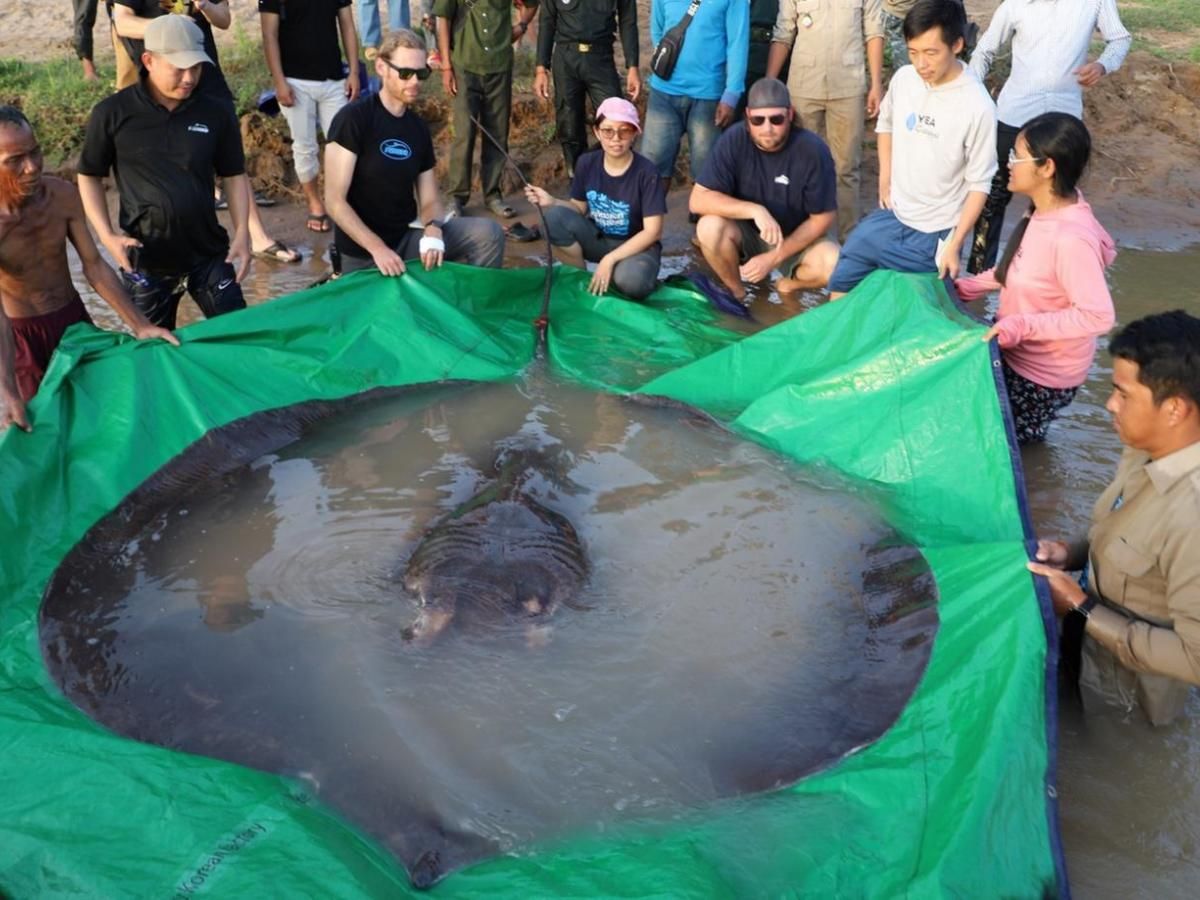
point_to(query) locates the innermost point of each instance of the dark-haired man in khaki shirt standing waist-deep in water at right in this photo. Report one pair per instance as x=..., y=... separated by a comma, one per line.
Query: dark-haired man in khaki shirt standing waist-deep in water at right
x=1143, y=551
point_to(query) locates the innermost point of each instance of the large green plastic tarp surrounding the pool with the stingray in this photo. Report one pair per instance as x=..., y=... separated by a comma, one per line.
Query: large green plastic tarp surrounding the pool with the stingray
x=892, y=386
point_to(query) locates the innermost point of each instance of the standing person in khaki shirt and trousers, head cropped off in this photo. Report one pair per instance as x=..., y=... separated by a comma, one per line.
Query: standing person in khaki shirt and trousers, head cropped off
x=831, y=40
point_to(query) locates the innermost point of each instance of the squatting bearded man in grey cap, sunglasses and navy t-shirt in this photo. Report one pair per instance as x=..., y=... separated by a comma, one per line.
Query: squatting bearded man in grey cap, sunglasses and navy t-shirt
x=767, y=200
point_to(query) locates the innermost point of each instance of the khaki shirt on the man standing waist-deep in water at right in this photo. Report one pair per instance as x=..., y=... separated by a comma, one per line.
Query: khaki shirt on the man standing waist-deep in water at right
x=1144, y=565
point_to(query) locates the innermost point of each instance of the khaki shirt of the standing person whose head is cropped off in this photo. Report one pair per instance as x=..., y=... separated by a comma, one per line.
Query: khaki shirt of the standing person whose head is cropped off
x=829, y=41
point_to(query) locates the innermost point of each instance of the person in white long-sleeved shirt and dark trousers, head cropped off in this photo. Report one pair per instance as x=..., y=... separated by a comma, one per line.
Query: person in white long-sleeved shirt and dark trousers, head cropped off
x=1051, y=70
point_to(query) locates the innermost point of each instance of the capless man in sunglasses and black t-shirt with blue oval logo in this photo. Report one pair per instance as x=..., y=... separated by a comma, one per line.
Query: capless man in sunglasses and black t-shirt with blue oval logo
x=380, y=178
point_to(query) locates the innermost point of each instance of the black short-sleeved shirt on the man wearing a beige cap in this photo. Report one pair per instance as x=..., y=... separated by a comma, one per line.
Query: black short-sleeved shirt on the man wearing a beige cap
x=165, y=163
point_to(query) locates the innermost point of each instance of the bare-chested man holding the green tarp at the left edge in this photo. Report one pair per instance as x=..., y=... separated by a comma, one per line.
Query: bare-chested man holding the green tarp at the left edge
x=38, y=302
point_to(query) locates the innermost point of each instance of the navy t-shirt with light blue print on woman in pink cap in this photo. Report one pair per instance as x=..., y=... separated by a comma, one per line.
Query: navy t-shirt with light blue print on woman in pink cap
x=619, y=205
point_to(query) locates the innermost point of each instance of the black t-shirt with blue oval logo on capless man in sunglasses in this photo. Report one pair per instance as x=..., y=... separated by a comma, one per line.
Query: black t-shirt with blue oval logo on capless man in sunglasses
x=393, y=152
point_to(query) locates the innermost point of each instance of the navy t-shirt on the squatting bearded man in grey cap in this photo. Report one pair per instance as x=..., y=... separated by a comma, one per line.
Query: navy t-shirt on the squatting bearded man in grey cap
x=794, y=183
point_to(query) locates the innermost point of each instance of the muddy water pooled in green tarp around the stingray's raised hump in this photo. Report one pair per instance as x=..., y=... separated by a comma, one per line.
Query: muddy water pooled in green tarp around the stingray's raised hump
x=711, y=653
